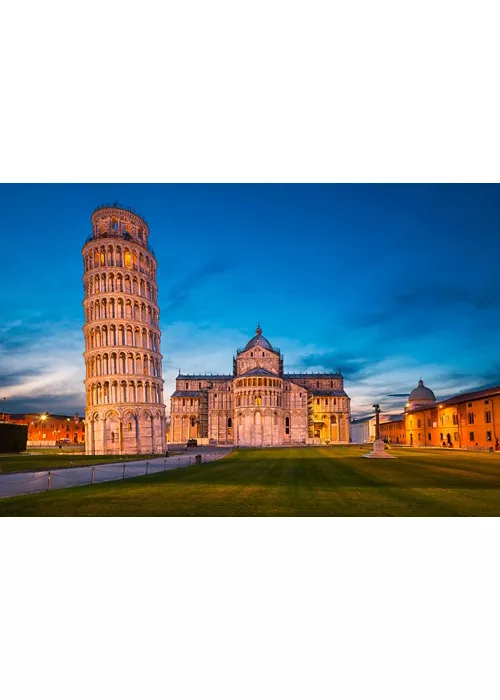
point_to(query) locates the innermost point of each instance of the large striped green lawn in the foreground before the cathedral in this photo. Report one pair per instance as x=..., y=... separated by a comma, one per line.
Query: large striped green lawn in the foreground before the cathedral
x=307, y=481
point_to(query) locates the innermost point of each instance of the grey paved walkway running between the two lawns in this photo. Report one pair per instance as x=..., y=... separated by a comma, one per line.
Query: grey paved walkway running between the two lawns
x=34, y=482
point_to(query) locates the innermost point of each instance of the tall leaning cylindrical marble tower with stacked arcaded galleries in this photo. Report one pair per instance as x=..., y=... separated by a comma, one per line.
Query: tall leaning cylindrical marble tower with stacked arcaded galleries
x=124, y=411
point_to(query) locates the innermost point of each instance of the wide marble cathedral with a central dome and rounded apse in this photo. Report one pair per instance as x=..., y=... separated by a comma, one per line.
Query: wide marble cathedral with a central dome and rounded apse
x=258, y=404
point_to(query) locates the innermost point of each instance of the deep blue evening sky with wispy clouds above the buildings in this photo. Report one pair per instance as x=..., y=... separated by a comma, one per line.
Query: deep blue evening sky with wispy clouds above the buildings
x=387, y=282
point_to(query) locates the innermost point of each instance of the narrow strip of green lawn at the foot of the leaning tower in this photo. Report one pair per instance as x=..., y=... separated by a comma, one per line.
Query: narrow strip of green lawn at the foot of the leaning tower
x=42, y=461
